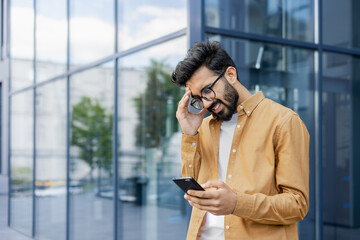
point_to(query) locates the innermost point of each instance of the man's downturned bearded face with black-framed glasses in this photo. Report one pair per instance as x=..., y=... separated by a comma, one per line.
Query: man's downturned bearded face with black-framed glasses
x=226, y=97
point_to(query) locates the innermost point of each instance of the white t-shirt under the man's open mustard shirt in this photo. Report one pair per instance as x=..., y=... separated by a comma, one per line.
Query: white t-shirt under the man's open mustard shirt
x=214, y=226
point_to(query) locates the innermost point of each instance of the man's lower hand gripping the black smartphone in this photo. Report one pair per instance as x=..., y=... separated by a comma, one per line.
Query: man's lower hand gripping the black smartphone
x=219, y=201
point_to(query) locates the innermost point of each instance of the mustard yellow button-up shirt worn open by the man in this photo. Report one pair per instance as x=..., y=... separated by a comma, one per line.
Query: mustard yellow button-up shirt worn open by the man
x=268, y=169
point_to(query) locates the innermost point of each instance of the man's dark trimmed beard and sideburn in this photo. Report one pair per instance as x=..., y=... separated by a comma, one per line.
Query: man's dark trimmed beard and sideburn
x=232, y=97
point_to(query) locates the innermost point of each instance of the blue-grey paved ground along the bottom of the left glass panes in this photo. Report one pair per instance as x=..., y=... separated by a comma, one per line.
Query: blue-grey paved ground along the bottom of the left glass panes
x=92, y=219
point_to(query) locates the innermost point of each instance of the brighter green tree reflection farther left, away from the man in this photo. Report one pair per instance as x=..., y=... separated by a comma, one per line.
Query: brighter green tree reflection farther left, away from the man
x=91, y=133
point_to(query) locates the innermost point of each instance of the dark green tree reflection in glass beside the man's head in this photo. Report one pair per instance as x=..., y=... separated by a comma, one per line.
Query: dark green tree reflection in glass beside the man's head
x=156, y=106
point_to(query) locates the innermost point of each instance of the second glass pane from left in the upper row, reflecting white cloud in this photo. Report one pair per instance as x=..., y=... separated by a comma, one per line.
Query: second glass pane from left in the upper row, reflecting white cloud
x=51, y=38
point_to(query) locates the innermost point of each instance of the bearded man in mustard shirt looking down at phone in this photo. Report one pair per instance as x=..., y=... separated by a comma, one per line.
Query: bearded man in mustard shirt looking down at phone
x=250, y=155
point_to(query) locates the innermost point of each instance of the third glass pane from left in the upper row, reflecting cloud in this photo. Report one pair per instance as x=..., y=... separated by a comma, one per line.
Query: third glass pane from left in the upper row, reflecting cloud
x=92, y=30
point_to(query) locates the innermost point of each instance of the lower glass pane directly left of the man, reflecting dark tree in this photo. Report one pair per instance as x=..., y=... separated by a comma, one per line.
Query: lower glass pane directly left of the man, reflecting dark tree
x=149, y=137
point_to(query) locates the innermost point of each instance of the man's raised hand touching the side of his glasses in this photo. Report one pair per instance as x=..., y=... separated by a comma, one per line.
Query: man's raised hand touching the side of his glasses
x=189, y=122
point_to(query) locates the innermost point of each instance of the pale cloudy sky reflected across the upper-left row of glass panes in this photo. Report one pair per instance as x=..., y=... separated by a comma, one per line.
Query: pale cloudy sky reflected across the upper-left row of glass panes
x=92, y=27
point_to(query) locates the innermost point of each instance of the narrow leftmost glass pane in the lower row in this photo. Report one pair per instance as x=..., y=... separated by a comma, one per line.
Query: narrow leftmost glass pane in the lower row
x=21, y=160
